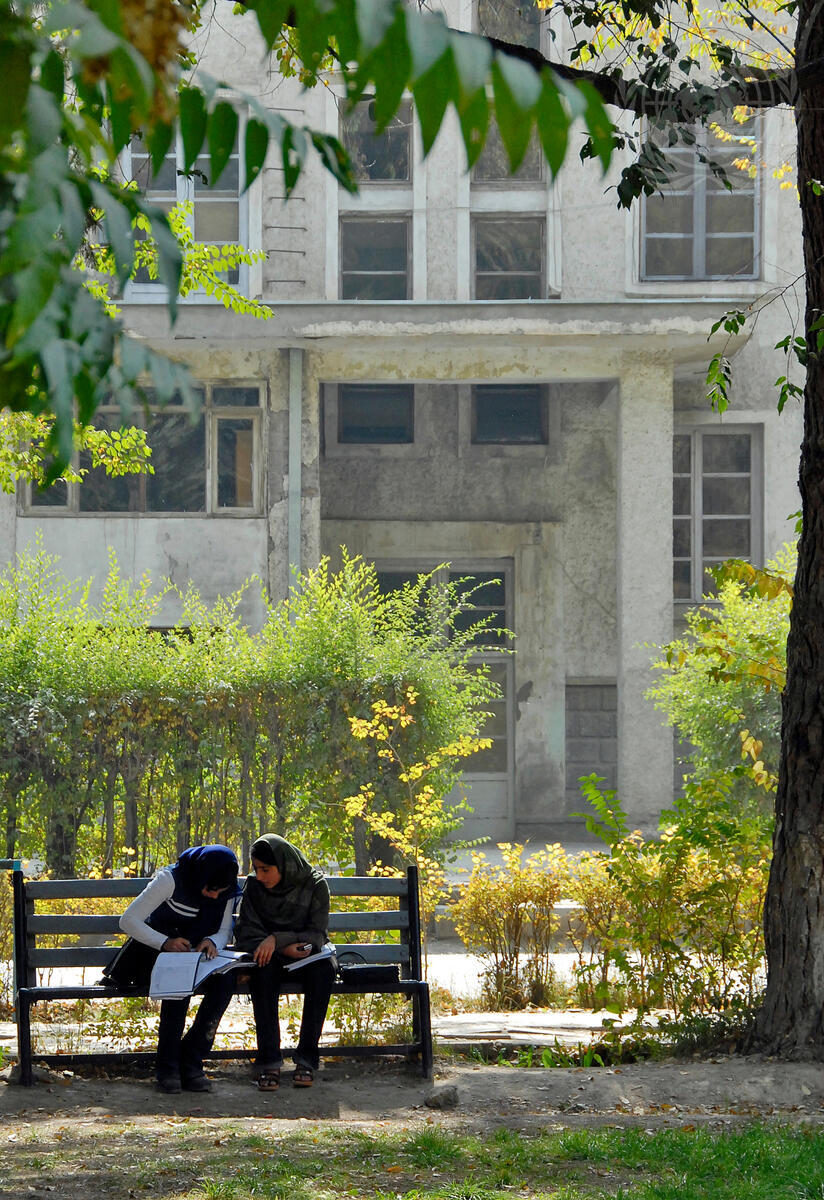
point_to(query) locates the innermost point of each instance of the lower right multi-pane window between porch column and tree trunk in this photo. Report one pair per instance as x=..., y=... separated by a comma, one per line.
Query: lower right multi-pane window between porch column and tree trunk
x=715, y=512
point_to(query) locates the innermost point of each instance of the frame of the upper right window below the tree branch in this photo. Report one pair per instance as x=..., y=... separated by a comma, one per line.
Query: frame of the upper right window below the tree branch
x=699, y=190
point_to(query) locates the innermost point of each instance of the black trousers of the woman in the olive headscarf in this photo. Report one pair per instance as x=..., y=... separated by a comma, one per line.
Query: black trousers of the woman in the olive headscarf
x=266, y=986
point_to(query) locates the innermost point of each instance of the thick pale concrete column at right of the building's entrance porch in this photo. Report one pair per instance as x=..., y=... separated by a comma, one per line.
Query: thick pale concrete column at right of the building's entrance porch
x=645, y=583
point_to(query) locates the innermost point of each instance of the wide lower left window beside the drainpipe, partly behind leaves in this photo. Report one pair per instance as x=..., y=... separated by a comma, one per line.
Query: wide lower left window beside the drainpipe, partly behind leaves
x=207, y=465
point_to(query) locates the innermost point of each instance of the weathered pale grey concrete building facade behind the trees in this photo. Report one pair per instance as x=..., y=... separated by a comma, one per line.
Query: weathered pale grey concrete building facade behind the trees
x=501, y=375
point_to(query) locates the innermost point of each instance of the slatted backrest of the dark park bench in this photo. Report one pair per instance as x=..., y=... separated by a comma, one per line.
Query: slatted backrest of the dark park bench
x=95, y=929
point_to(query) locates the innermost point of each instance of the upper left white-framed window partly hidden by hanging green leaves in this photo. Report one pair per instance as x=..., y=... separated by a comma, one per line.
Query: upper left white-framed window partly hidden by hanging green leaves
x=216, y=218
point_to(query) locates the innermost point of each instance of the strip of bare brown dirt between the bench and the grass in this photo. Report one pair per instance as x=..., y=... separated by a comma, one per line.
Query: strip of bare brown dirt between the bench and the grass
x=689, y=1094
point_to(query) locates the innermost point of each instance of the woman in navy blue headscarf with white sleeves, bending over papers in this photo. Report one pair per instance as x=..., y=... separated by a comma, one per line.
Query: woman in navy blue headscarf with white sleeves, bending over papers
x=185, y=908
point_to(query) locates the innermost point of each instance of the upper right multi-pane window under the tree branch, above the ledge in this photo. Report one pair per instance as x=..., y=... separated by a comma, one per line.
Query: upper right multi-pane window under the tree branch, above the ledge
x=699, y=229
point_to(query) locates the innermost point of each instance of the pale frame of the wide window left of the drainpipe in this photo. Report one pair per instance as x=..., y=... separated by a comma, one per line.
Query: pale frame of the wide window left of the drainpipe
x=213, y=417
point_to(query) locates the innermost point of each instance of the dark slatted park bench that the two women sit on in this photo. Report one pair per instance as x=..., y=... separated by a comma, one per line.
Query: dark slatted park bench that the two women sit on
x=46, y=943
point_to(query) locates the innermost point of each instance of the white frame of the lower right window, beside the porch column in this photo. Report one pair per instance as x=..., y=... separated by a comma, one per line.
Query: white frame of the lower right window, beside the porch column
x=697, y=559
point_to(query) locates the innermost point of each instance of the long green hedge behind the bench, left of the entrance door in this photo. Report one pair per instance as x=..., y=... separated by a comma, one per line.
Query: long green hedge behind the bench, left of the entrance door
x=123, y=745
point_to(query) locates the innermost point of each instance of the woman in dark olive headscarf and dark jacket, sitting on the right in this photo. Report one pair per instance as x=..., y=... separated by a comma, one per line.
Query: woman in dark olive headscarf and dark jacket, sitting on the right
x=285, y=917
